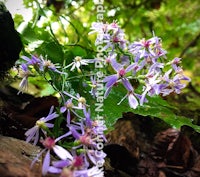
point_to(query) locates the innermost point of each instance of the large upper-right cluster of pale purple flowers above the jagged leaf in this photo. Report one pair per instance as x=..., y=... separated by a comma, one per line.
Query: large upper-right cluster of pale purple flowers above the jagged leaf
x=143, y=61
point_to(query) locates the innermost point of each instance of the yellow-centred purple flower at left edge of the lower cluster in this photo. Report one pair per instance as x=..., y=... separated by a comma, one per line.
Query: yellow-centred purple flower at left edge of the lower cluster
x=33, y=133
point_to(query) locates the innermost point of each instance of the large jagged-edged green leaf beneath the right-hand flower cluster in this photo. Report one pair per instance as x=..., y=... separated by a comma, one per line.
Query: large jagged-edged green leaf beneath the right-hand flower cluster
x=156, y=107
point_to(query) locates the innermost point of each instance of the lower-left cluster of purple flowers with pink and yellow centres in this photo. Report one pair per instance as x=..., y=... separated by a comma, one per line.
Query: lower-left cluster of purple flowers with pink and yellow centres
x=83, y=158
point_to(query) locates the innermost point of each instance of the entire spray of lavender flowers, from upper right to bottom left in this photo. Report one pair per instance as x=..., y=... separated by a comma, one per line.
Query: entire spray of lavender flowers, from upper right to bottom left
x=77, y=146
